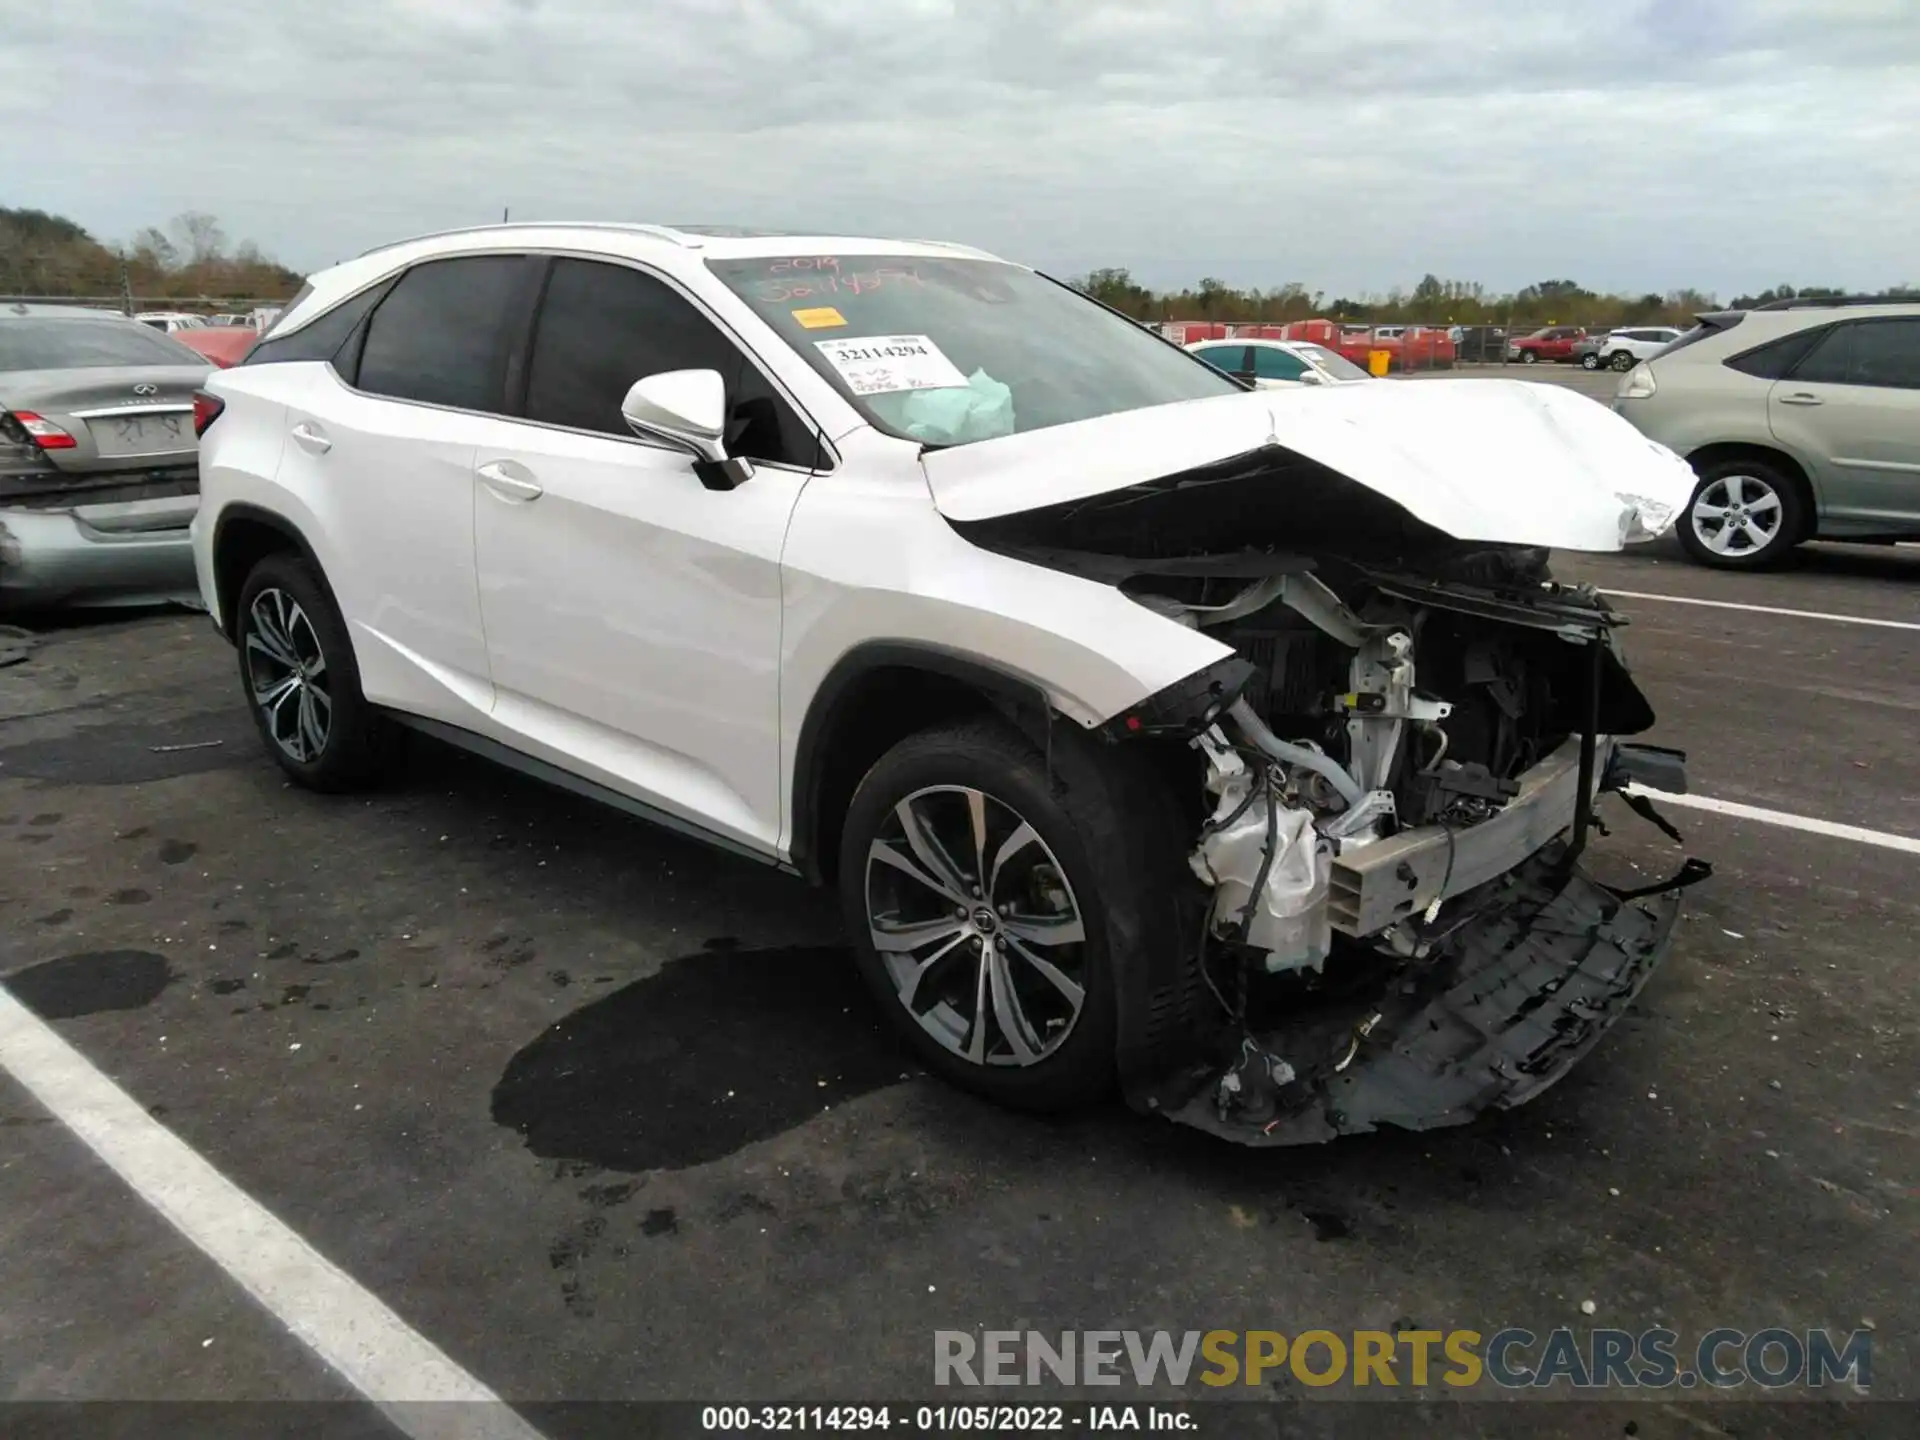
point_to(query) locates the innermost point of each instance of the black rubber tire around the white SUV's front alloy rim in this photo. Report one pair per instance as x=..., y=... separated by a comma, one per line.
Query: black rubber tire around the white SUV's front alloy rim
x=1090, y=830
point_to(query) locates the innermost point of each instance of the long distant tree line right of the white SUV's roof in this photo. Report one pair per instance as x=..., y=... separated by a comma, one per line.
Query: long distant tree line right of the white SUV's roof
x=1429, y=302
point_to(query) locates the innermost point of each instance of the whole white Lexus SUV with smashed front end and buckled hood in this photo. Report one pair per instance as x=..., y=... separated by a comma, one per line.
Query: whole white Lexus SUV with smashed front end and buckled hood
x=1228, y=746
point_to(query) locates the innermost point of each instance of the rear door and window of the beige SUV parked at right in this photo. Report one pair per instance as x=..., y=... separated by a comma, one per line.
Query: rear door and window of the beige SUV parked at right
x=1854, y=410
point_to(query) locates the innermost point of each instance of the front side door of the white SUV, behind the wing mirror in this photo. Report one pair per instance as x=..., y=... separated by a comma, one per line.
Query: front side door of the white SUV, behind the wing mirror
x=633, y=615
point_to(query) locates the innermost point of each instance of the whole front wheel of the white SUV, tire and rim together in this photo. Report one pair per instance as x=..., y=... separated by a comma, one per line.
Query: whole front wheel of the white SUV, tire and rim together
x=986, y=901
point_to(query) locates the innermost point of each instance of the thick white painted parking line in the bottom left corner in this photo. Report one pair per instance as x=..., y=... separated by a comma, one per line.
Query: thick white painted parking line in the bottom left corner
x=373, y=1349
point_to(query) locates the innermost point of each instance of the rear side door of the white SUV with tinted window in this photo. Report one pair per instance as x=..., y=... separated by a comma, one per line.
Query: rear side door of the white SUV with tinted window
x=379, y=448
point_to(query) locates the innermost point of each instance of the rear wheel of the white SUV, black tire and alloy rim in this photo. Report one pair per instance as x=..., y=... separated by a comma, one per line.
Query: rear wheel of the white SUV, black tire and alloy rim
x=356, y=742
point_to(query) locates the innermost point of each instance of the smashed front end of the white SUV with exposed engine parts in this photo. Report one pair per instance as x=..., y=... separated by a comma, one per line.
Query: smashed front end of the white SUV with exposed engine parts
x=1393, y=780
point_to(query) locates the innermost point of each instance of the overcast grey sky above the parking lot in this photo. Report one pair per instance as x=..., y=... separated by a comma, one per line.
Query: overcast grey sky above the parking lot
x=1349, y=145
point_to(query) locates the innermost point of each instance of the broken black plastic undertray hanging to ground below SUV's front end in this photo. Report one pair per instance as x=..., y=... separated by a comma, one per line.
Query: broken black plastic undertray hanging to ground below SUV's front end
x=1508, y=1007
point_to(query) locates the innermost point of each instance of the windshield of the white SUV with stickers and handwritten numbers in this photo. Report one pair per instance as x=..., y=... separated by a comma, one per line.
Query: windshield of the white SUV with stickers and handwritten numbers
x=957, y=350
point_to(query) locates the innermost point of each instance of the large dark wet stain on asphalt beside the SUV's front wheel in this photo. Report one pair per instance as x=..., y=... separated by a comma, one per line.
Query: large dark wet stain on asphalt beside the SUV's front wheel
x=688, y=1067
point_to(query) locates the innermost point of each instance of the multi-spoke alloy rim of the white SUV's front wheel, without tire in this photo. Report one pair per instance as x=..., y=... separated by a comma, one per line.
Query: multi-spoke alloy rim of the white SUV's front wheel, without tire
x=978, y=926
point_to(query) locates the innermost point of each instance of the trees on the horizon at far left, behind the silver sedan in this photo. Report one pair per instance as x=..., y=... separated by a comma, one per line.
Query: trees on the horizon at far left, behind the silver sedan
x=189, y=260
